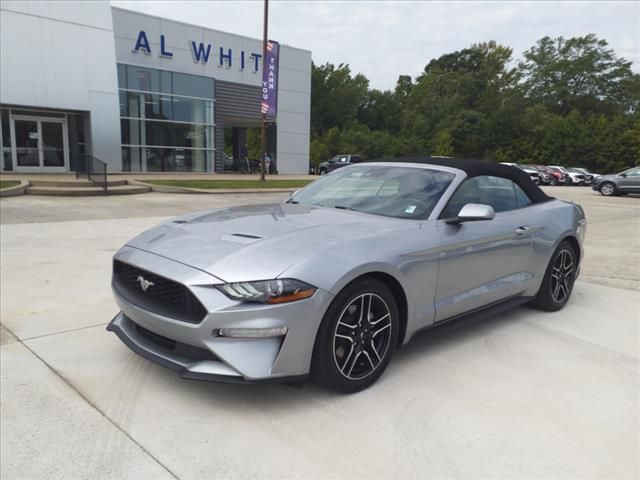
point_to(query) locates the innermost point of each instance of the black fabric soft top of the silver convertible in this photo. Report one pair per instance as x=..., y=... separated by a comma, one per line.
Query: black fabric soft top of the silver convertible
x=474, y=168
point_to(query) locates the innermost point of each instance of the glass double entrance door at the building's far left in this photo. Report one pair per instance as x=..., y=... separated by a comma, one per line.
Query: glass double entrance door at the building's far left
x=40, y=144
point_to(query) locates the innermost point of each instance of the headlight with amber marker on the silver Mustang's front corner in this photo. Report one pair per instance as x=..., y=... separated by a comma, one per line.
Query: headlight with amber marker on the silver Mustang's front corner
x=268, y=291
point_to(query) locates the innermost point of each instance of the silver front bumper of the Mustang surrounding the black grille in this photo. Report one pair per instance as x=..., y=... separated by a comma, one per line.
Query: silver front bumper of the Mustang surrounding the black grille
x=197, y=351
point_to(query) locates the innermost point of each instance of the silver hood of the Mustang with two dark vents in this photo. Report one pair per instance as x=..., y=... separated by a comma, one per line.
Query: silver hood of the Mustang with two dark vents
x=258, y=242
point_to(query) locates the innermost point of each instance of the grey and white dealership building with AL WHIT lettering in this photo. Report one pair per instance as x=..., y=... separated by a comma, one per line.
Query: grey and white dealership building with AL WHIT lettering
x=141, y=93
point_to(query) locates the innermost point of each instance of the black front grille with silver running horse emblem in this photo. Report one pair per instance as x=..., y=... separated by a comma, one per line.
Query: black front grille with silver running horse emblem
x=164, y=297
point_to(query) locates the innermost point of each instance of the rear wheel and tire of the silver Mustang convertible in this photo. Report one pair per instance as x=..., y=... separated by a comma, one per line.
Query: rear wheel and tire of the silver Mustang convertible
x=558, y=281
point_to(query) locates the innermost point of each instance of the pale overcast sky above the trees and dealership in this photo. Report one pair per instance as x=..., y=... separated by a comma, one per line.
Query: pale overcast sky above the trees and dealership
x=385, y=39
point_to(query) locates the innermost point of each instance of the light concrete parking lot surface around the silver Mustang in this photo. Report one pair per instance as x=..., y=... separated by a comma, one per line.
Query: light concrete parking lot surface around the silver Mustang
x=525, y=394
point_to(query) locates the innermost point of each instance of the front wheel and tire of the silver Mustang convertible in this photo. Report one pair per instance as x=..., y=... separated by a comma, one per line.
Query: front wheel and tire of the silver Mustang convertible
x=339, y=362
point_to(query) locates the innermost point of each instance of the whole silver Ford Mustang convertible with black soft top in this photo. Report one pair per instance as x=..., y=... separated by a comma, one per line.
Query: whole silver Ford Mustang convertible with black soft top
x=330, y=282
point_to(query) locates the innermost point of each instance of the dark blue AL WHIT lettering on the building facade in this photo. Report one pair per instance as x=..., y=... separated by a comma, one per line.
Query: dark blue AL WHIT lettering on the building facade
x=202, y=52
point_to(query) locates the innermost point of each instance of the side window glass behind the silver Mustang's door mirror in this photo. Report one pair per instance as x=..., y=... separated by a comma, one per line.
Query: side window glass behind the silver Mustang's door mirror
x=502, y=194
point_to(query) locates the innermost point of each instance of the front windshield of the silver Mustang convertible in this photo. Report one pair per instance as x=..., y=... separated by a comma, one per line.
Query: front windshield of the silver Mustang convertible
x=400, y=192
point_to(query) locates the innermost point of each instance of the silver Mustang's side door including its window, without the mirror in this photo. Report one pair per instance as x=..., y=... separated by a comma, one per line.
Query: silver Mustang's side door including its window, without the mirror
x=482, y=262
